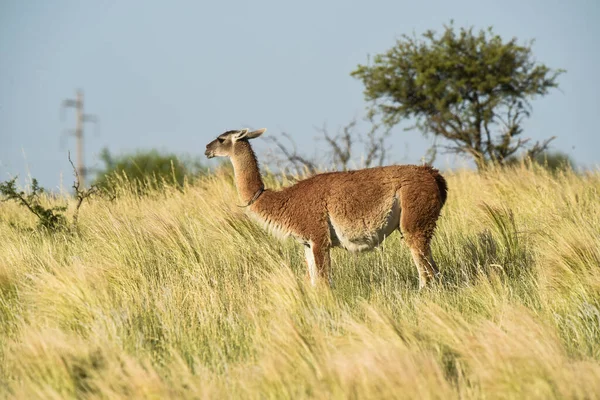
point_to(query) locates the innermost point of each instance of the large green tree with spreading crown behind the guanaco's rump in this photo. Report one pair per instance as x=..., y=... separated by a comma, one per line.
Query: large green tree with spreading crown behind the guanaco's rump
x=473, y=90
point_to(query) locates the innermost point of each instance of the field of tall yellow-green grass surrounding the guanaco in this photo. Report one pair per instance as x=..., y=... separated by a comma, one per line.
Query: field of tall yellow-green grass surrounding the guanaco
x=178, y=294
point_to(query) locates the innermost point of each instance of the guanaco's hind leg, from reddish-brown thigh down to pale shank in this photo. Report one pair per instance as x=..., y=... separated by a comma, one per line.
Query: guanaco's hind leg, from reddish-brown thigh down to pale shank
x=420, y=210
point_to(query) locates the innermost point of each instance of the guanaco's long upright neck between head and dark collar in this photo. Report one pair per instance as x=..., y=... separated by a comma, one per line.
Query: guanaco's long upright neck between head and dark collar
x=247, y=173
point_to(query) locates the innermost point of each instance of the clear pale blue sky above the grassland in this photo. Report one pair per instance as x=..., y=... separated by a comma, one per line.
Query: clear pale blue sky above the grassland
x=173, y=75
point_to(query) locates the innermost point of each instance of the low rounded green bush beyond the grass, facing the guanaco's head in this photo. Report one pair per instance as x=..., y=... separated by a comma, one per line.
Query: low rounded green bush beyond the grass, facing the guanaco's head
x=150, y=168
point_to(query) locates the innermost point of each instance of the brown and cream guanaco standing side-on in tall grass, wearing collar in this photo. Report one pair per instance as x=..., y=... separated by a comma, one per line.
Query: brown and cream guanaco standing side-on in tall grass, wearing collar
x=353, y=209
